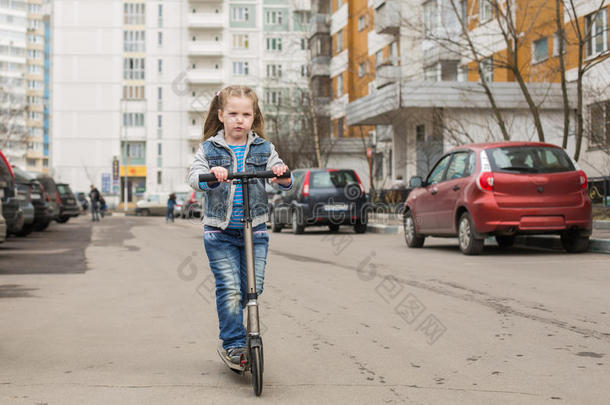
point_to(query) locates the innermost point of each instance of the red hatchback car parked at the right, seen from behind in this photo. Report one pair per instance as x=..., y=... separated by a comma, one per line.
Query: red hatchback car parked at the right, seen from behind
x=502, y=189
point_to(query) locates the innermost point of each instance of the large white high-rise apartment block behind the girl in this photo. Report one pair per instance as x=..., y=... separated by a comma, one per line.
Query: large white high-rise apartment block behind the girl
x=133, y=79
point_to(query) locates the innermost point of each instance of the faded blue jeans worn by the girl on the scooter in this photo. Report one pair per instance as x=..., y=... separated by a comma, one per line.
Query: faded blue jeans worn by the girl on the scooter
x=227, y=256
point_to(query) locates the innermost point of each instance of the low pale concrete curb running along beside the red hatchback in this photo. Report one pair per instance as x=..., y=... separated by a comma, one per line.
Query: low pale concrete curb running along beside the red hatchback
x=545, y=242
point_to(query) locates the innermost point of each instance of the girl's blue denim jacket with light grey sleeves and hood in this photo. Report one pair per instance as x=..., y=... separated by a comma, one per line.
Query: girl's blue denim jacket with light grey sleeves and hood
x=260, y=155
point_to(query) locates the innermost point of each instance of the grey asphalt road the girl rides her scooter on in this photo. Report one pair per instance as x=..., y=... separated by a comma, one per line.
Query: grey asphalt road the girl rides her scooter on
x=122, y=311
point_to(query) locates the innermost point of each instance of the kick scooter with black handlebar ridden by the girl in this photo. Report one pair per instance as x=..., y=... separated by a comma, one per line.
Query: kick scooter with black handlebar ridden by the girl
x=253, y=359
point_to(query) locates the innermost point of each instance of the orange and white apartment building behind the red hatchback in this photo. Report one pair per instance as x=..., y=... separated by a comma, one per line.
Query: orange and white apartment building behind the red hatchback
x=427, y=91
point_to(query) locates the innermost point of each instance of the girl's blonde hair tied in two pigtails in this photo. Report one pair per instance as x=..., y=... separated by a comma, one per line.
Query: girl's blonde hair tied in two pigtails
x=213, y=124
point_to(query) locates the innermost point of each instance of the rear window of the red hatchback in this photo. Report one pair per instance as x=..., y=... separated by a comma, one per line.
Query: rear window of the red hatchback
x=529, y=159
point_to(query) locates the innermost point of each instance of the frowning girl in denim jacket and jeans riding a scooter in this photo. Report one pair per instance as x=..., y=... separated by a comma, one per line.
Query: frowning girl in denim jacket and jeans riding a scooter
x=234, y=140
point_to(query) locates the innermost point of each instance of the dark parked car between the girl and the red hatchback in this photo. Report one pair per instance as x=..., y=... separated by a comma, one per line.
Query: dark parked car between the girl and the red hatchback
x=331, y=197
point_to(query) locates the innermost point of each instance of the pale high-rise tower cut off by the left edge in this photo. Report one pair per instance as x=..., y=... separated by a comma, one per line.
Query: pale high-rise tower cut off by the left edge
x=13, y=24
